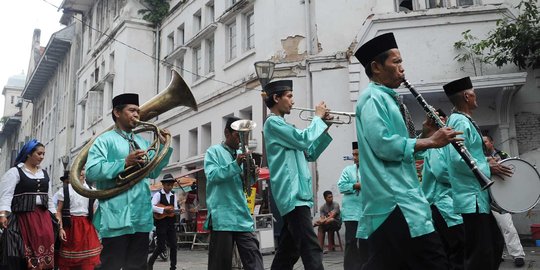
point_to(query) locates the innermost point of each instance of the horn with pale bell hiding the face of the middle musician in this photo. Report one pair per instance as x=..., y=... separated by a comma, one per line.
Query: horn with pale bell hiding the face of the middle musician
x=249, y=175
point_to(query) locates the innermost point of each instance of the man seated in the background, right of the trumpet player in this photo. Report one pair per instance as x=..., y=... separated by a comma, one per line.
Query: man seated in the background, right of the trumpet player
x=330, y=220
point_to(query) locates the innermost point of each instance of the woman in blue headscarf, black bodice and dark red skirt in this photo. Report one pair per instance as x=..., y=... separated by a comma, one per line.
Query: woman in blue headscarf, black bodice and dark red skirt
x=28, y=240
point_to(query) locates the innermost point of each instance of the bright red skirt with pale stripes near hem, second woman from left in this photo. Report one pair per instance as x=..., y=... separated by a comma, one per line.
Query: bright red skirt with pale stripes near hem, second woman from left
x=82, y=246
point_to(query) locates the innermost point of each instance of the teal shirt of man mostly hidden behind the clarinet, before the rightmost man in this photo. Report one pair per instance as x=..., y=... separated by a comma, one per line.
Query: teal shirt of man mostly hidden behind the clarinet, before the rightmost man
x=436, y=184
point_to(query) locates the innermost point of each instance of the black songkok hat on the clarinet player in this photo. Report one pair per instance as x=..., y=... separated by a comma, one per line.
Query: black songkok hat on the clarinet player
x=377, y=45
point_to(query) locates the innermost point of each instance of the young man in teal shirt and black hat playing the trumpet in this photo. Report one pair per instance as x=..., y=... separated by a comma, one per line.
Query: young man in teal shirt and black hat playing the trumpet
x=288, y=150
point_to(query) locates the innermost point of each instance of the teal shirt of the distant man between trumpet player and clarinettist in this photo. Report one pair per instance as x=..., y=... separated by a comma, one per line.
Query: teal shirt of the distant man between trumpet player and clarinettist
x=351, y=205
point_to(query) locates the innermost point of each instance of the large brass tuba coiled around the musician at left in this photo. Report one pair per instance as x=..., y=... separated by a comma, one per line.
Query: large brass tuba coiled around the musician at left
x=176, y=94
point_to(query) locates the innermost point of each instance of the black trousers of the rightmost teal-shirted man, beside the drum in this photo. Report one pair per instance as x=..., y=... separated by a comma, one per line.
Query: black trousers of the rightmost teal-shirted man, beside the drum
x=484, y=242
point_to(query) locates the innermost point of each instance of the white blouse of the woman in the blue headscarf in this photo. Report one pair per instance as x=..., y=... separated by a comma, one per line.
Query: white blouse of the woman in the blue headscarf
x=10, y=180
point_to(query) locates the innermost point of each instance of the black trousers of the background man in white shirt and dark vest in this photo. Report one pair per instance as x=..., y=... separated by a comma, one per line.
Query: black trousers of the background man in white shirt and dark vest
x=166, y=233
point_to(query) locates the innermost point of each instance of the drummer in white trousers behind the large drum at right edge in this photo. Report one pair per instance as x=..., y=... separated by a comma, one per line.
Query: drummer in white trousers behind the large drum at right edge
x=511, y=237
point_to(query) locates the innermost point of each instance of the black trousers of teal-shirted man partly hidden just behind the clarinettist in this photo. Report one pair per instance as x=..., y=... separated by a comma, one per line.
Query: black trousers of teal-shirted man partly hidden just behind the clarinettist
x=453, y=239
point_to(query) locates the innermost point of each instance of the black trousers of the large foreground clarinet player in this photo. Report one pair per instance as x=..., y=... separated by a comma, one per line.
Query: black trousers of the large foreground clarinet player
x=392, y=247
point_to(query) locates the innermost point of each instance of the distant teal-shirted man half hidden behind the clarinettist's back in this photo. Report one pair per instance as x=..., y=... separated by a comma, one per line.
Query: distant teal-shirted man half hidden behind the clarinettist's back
x=356, y=252
